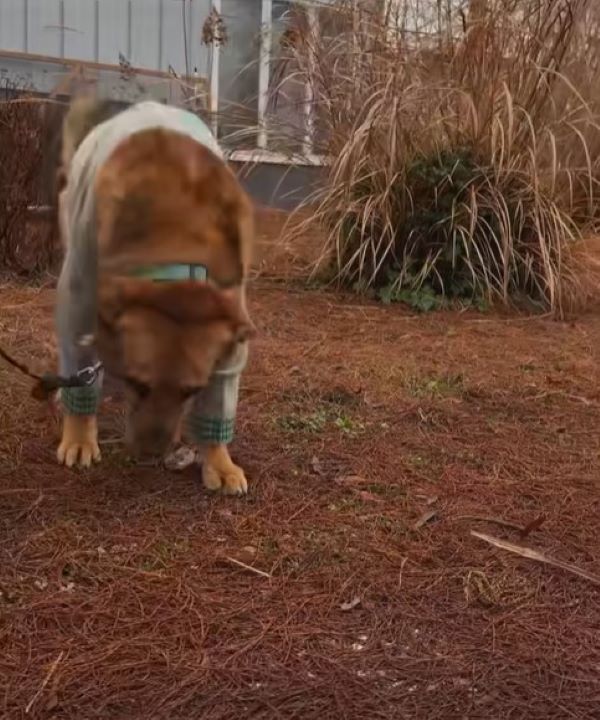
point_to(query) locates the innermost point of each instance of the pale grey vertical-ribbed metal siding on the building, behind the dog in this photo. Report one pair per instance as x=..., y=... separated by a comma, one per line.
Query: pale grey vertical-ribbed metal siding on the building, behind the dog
x=148, y=33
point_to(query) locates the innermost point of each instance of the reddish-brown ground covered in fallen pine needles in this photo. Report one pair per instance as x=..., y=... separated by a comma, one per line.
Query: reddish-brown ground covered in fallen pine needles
x=375, y=441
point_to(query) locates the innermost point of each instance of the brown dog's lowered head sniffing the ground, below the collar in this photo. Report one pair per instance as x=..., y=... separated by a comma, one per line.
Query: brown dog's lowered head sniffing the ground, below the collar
x=164, y=340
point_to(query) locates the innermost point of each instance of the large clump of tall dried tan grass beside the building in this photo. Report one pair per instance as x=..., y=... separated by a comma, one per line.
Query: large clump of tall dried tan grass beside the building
x=463, y=145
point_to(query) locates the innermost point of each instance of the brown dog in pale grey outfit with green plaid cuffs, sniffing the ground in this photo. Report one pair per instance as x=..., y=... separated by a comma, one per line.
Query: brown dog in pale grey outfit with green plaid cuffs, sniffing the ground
x=157, y=235
